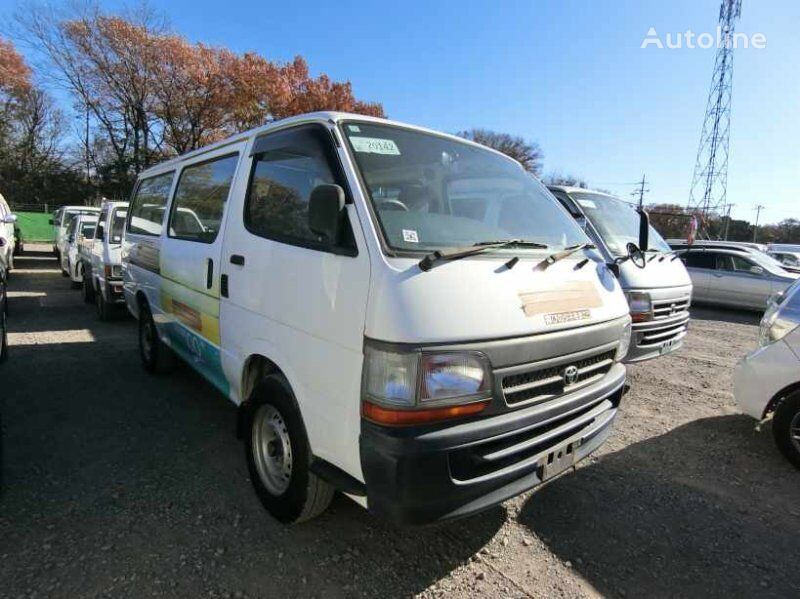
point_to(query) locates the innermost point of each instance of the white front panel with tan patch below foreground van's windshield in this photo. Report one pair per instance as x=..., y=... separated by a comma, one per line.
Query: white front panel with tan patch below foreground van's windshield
x=479, y=298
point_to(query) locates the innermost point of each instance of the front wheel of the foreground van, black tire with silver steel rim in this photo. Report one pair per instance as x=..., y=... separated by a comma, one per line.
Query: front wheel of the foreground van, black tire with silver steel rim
x=275, y=431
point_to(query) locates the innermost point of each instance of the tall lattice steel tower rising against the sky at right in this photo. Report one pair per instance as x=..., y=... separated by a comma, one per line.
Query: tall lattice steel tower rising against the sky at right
x=709, y=189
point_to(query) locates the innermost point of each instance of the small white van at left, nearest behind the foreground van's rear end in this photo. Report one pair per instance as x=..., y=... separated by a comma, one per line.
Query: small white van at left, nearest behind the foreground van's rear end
x=102, y=259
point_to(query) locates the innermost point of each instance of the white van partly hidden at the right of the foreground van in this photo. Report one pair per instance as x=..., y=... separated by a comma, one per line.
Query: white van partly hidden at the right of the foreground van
x=655, y=281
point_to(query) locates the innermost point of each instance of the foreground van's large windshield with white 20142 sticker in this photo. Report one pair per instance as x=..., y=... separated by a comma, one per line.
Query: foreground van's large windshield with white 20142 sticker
x=430, y=192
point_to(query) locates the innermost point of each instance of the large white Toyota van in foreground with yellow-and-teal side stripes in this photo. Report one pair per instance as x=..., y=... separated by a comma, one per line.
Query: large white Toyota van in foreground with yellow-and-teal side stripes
x=400, y=314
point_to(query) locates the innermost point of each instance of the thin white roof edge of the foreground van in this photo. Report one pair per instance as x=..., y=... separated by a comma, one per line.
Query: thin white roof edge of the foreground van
x=331, y=117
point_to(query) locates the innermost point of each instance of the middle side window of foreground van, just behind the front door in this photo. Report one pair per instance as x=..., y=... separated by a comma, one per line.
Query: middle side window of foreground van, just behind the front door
x=200, y=199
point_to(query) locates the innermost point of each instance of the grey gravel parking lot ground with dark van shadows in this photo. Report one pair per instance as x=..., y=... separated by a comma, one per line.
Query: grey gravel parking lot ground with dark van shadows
x=119, y=484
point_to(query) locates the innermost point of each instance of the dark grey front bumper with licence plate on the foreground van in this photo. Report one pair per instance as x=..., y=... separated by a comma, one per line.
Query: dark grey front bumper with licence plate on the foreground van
x=421, y=475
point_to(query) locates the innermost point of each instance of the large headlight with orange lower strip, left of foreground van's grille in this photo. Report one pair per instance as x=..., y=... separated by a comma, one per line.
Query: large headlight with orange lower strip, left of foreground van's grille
x=417, y=386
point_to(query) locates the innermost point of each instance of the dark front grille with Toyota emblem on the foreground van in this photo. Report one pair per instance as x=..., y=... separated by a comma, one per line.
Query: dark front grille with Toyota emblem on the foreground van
x=541, y=384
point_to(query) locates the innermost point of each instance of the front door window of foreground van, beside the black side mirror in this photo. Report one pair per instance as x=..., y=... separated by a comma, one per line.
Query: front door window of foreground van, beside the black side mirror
x=286, y=167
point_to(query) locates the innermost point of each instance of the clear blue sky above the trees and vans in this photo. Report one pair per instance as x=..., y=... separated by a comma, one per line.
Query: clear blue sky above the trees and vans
x=568, y=74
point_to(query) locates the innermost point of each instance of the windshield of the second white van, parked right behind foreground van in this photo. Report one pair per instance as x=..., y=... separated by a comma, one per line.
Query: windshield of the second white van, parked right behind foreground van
x=616, y=222
